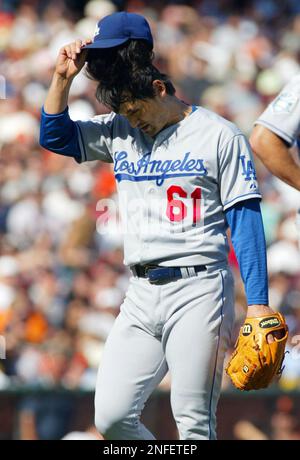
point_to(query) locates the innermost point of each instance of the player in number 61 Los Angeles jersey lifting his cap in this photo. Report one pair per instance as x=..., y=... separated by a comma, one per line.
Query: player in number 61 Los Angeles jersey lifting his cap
x=197, y=169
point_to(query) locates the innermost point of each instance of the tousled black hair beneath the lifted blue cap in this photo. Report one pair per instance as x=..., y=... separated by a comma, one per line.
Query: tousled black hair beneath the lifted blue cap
x=125, y=73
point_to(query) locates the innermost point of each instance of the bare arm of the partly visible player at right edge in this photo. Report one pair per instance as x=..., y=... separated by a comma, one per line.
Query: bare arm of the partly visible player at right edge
x=275, y=154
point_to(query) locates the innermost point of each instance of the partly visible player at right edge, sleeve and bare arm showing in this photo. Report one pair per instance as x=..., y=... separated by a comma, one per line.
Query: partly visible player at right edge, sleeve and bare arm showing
x=276, y=131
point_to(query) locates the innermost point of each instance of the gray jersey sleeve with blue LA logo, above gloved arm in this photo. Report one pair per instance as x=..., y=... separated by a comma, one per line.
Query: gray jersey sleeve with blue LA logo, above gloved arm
x=237, y=175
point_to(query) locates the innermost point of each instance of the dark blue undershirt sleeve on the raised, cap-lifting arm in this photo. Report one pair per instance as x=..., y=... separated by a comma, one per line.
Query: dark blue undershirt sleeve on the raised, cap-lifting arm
x=59, y=134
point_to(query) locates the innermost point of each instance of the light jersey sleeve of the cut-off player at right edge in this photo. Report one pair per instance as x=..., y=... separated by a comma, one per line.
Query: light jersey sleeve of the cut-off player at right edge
x=282, y=116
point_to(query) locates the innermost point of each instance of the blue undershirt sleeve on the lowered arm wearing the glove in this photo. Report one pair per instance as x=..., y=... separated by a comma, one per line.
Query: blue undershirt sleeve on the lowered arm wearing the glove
x=248, y=240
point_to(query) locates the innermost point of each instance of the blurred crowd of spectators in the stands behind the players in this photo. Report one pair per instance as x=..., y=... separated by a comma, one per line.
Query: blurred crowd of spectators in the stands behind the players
x=61, y=280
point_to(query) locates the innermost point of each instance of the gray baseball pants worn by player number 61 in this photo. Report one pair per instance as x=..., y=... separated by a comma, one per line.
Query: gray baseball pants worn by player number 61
x=185, y=327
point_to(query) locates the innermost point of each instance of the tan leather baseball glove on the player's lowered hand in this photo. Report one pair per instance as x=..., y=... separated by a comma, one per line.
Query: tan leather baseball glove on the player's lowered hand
x=256, y=360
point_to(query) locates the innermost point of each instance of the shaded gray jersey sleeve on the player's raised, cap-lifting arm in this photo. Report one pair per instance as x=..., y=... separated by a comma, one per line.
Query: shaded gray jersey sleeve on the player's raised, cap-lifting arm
x=95, y=138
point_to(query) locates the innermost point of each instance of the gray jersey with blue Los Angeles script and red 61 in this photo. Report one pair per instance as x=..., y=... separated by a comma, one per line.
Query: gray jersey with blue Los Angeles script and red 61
x=173, y=189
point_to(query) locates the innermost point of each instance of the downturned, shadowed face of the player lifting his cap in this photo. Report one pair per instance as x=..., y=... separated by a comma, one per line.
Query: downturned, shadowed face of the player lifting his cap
x=144, y=114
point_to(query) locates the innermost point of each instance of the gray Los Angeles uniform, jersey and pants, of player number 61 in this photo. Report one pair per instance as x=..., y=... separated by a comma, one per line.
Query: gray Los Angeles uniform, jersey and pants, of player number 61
x=192, y=171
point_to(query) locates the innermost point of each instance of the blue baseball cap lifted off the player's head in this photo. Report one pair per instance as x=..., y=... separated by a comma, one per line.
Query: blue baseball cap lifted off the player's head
x=118, y=28
